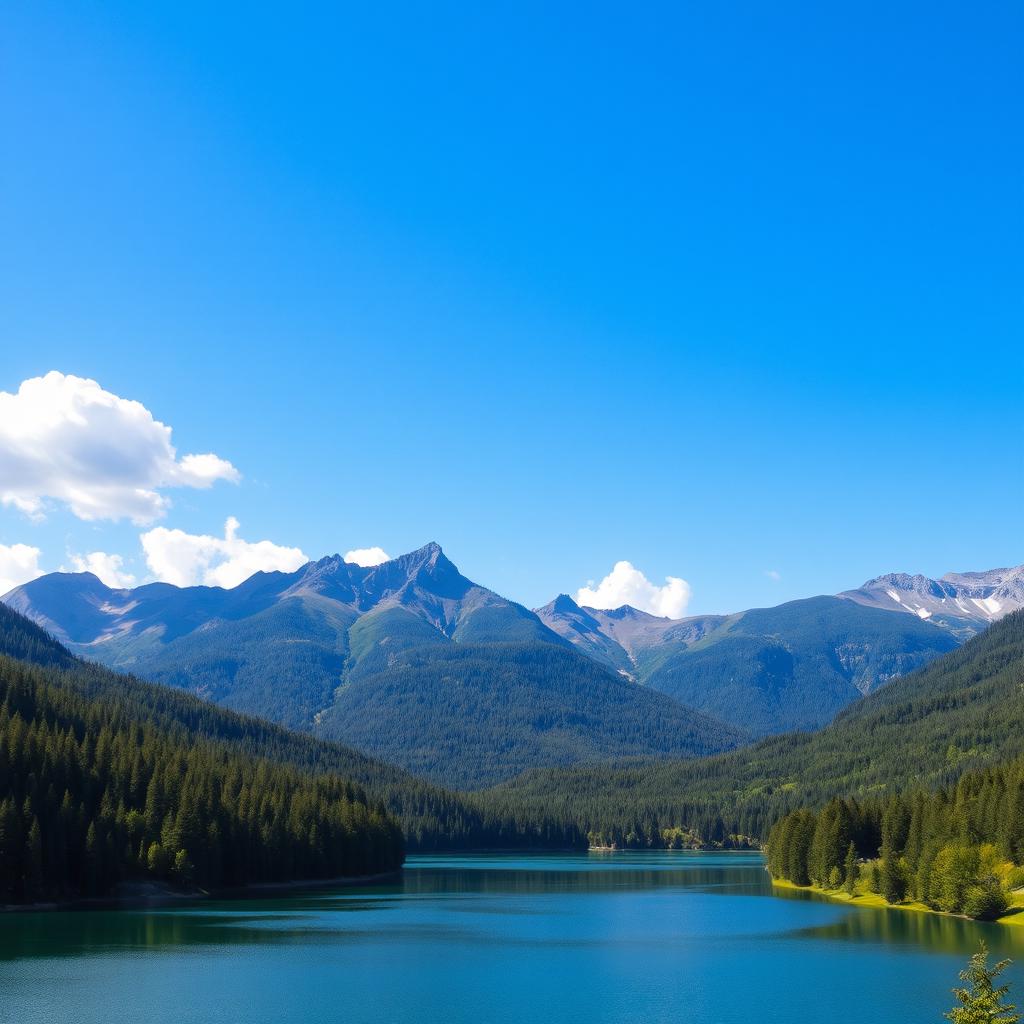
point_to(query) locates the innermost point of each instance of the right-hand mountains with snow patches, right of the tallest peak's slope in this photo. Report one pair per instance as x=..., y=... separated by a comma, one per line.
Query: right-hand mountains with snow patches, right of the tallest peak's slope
x=797, y=665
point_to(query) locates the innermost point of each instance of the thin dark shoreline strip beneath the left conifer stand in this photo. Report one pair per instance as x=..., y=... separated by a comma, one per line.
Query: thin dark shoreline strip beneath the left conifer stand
x=159, y=895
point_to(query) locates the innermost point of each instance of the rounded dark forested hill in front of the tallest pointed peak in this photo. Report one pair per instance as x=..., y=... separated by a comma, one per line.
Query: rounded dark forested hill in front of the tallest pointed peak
x=470, y=715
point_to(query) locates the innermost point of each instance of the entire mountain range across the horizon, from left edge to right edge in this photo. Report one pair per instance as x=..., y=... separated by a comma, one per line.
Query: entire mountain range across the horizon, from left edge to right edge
x=412, y=662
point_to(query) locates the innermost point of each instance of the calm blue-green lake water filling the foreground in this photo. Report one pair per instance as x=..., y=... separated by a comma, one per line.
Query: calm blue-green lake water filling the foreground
x=647, y=938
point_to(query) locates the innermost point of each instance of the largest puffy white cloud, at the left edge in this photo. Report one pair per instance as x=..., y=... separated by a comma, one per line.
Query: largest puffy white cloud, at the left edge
x=65, y=439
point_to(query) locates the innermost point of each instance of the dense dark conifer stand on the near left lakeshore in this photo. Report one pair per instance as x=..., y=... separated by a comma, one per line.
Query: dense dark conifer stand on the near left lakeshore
x=92, y=796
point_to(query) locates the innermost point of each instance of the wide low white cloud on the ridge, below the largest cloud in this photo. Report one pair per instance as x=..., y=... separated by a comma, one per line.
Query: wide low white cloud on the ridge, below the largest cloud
x=188, y=560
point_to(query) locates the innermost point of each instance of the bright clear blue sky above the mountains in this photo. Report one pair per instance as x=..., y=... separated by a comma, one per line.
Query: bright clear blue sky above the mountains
x=722, y=291
